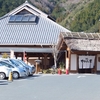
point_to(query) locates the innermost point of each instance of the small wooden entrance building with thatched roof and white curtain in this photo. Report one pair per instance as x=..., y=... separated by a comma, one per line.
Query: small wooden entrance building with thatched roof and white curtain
x=81, y=51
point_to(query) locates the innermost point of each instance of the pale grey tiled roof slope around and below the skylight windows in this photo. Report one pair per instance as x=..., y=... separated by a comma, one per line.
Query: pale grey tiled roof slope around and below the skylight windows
x=44, y=32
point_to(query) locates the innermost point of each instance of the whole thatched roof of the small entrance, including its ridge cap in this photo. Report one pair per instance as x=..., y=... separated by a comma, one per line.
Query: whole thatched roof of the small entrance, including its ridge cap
x=80, y=41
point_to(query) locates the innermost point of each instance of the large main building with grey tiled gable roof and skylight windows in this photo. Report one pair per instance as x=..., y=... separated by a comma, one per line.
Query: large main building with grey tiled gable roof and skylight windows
x=27, y=31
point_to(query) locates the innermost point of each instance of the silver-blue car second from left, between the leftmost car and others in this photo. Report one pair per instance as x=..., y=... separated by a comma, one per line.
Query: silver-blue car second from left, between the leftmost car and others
x=17, y=72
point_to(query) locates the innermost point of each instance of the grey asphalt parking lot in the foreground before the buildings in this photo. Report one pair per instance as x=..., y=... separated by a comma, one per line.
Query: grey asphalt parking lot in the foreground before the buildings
x=52, y=87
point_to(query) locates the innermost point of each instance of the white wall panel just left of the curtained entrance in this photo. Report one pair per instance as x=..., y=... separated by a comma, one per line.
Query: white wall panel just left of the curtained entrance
x=73, y=65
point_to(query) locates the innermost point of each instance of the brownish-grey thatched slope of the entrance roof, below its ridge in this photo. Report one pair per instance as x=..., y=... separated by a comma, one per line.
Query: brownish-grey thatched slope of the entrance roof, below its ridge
x=83, y=45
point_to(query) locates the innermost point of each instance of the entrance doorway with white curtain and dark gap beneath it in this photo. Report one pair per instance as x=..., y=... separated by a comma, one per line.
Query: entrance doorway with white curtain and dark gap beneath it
x=86, y=64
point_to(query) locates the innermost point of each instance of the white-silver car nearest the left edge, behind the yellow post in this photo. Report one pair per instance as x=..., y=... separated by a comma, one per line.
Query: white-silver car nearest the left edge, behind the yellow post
x=4, y=71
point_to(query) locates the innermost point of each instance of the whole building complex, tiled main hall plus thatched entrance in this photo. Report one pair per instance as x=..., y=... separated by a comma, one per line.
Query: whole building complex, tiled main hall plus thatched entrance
x=28, y=32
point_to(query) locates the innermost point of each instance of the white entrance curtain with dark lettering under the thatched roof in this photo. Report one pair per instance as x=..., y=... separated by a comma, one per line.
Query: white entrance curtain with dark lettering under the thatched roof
x=86, y=62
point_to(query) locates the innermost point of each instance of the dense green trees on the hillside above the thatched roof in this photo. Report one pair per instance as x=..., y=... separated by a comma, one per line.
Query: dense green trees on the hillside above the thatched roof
x=87, y=18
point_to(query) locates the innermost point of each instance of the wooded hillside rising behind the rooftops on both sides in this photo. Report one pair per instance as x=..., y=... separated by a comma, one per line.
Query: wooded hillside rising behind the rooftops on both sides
x=76, y=15
